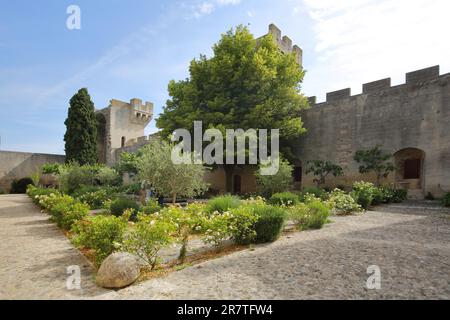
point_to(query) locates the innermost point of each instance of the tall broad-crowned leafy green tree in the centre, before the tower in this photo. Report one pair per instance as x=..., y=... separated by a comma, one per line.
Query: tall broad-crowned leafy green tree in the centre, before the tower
x=247, y=83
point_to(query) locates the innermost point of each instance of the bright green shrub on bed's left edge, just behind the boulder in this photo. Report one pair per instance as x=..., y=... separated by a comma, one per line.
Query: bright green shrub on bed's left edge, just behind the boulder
x=101, y=233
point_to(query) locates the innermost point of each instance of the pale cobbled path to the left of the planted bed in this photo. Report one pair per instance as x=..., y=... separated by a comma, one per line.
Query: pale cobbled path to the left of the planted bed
x=34, y=255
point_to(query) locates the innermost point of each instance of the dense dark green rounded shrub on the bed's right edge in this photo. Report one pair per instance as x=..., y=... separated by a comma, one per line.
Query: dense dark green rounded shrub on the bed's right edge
x=270, y=223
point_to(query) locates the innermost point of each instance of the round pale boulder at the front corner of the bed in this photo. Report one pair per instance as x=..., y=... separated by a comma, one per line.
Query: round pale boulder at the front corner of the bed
x=119, y=270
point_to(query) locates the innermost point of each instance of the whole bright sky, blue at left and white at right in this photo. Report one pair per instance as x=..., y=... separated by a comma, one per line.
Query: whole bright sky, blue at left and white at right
x=133, y=48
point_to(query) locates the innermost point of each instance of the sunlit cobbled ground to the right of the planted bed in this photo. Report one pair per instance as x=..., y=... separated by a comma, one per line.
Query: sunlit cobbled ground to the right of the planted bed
x=412, y=250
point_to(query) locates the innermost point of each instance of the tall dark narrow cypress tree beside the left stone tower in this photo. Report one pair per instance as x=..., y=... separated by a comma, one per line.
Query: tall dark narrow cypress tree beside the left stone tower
x=81, y=133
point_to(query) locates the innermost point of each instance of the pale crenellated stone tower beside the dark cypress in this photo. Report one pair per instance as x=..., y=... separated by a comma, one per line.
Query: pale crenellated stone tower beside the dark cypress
x=122, y=123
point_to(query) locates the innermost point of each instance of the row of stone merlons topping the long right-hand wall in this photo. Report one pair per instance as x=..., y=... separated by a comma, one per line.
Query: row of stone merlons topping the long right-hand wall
x=417, y=77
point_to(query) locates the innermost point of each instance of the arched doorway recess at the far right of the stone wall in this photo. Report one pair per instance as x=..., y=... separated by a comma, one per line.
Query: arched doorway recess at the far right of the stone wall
x=409, y=164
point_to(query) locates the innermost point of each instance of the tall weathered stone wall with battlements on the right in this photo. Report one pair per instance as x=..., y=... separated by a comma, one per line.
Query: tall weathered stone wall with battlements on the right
x=412, y=115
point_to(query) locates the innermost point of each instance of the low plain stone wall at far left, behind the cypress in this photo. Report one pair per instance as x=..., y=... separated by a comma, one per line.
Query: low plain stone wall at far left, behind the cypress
x=17, y=165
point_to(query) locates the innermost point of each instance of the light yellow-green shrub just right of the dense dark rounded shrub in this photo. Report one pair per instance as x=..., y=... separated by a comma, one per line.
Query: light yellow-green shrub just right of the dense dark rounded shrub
x=309, y=216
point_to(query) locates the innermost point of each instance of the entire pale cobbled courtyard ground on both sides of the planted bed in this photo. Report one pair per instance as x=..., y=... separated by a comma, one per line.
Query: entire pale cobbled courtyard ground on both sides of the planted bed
x=409, y=243
